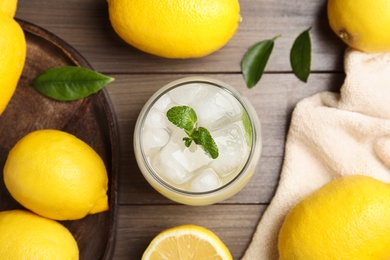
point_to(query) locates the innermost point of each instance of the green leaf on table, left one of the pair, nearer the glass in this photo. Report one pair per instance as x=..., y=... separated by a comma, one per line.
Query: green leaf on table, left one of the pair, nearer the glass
x=255, y=60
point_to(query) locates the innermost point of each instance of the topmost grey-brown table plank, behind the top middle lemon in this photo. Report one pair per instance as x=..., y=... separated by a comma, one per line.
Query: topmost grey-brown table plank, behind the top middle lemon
x=85, y=25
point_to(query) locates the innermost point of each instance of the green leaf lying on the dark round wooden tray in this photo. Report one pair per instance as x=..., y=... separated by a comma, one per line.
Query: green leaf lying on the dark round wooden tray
x=70, y=83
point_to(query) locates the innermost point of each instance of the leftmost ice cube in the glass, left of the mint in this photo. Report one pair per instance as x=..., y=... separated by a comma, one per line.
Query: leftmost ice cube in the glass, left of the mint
x=153, y=138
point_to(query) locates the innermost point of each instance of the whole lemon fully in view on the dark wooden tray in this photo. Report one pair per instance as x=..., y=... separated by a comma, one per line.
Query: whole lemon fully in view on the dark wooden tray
x=56, y=175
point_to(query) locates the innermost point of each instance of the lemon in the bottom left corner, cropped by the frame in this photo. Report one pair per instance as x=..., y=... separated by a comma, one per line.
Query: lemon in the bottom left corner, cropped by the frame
x=25, y=235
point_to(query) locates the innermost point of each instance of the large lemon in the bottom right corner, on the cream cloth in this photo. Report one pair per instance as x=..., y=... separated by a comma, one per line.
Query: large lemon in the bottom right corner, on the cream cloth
x=348, y=218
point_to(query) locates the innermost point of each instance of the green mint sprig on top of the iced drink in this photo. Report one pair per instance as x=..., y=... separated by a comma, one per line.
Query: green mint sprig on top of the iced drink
x=185, y=118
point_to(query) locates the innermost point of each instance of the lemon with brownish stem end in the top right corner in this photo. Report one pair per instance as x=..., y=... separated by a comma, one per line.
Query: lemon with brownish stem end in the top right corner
x=362, y=24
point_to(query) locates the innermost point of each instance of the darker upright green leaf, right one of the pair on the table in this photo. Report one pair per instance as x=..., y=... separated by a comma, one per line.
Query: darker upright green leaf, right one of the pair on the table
x=300, y=56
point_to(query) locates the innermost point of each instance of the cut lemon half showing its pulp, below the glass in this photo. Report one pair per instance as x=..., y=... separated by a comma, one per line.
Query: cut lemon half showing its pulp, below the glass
x=186, y=242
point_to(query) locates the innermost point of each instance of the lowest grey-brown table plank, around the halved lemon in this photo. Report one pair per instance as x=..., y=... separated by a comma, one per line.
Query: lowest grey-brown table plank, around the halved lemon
x=138, y=230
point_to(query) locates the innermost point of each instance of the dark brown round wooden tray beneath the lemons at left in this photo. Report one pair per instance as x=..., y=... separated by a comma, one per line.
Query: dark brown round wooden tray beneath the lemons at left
x=91, y=119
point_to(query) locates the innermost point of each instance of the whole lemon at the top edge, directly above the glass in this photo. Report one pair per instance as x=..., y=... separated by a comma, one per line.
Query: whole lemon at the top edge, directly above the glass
x=175, y=28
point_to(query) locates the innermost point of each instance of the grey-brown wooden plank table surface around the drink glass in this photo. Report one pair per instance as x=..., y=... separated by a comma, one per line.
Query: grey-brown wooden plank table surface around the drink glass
x=143, y=212
